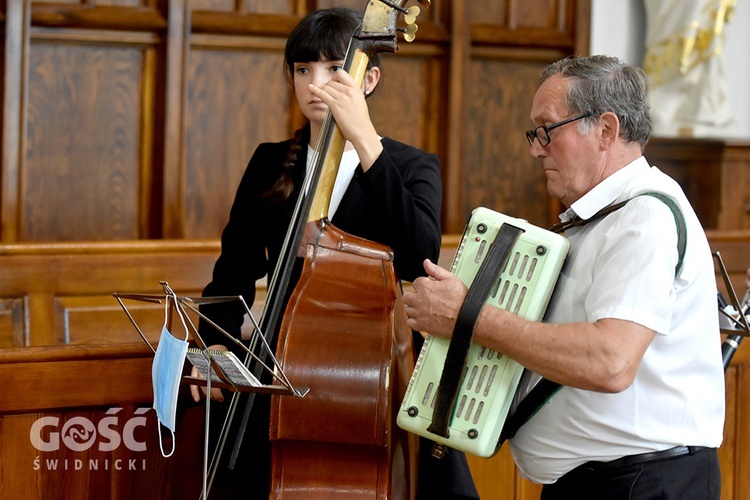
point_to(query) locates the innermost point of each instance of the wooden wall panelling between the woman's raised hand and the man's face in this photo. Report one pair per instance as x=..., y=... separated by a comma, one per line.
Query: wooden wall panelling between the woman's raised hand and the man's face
x=498, y=51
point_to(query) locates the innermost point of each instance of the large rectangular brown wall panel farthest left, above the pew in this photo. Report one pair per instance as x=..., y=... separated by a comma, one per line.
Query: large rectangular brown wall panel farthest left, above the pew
x=83, y=130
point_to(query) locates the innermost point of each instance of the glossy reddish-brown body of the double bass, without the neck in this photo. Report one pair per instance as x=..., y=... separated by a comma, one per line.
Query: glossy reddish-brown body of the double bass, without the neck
x=347, y=340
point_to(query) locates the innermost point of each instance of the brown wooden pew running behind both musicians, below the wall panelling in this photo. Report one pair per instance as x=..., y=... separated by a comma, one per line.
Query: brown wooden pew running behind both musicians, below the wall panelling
x=68, y=351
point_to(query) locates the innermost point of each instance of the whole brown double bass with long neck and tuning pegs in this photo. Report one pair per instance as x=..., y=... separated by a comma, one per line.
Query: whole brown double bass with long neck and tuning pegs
x=342, y=333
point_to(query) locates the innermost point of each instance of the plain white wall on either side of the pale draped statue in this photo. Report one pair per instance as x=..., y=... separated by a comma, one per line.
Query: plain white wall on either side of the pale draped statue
x=618, y=28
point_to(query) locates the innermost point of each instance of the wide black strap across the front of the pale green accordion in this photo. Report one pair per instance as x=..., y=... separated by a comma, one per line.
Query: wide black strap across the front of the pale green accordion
x=463, y=331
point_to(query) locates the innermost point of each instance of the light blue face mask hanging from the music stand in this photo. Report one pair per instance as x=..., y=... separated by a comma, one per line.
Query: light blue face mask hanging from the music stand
x=166, y=373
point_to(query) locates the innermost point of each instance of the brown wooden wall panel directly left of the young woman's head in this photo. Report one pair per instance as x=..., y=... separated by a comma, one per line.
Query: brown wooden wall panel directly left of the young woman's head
x=236, y=99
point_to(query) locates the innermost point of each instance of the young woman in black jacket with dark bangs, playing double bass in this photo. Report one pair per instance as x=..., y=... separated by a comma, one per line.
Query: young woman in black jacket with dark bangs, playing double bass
x=385, y=191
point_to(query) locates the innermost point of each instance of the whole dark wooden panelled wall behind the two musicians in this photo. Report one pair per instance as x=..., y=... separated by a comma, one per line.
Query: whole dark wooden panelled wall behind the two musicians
x=134, y=119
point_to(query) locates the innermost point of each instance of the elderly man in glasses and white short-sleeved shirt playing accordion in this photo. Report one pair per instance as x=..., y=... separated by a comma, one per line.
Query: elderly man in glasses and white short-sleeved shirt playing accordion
x=631, y=331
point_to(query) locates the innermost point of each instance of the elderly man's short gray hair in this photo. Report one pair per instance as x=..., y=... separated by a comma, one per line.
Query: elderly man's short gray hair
x=603, y=83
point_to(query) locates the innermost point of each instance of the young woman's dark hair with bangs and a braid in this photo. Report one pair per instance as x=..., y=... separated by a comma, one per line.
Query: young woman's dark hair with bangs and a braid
x=322, y=34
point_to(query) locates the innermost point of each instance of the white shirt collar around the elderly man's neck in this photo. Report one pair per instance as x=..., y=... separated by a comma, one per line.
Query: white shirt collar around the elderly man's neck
x=607, y=191
